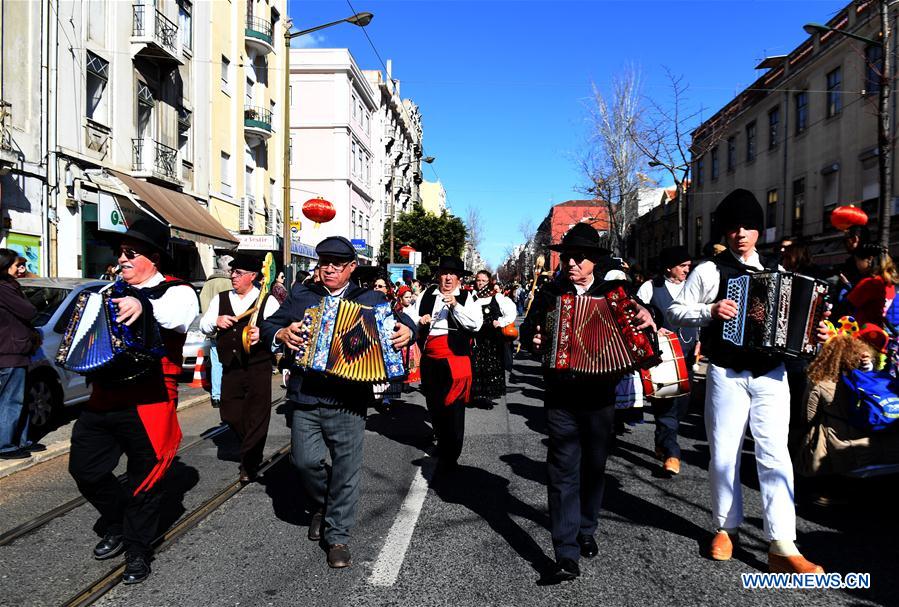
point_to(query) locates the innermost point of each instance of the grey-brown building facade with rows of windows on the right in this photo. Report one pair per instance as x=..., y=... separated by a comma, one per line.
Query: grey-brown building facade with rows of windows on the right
x=802, y=138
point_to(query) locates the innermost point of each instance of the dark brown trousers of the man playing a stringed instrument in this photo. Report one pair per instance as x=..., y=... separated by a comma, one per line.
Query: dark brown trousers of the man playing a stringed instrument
x=246, y=406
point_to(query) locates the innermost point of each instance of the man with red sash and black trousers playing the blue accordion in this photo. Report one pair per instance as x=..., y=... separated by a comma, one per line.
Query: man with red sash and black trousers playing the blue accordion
x=137, y=417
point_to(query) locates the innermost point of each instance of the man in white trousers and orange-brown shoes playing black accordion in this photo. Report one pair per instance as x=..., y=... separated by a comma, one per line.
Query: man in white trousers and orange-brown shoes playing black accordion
x=742, y=388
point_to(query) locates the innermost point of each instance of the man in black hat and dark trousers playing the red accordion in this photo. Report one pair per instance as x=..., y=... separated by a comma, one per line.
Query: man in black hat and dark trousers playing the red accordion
x=580, y=409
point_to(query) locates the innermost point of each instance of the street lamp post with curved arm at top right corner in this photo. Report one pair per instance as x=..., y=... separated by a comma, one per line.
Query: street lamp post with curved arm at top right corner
x=884, y=139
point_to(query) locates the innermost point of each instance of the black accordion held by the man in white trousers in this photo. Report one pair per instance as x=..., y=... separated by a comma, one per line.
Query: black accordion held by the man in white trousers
x=778, y=312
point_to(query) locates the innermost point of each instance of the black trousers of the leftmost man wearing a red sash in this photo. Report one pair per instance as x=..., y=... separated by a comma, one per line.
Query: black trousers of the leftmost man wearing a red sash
x=98, y=441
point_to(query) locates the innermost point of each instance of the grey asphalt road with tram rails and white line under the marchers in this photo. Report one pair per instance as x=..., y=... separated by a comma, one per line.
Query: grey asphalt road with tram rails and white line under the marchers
x=481, y=539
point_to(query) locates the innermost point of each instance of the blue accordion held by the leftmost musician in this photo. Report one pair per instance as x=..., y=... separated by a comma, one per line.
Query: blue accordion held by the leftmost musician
x=97, y=346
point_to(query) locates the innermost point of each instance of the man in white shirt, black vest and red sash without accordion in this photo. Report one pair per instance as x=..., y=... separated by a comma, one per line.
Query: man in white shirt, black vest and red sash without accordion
x=448, y=318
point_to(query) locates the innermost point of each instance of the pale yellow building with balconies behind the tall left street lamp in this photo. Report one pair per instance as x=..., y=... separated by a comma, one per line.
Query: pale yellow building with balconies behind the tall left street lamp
x=246, y=100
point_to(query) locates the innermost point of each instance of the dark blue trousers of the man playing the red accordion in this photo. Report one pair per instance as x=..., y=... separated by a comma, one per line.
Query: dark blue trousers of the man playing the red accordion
x=579, y=444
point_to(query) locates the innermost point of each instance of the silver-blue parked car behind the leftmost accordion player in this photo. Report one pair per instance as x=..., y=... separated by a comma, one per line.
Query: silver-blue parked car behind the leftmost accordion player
x=49, y=388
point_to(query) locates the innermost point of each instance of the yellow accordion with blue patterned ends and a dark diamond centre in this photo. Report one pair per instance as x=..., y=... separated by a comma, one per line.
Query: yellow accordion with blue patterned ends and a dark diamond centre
x=351, y=341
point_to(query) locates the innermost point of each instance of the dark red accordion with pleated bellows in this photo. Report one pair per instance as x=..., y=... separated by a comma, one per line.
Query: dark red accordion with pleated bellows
x=596, y=336
